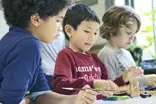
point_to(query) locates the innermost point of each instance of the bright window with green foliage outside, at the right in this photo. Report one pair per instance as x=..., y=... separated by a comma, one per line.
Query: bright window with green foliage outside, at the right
x=146, y=37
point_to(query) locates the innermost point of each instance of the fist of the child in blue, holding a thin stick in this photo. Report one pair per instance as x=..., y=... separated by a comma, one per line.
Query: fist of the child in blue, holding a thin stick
x=86, y=96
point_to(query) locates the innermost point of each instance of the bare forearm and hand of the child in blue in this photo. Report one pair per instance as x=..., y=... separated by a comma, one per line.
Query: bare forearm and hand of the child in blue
x=84, y=97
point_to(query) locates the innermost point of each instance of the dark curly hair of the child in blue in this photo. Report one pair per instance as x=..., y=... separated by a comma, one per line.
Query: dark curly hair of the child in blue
x=18, y=12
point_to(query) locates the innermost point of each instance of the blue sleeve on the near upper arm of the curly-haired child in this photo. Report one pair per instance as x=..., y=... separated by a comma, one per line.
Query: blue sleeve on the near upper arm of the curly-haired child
x=19, y=71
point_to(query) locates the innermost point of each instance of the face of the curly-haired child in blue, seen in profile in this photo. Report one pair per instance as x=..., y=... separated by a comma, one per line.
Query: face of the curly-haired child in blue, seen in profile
x=49, y=29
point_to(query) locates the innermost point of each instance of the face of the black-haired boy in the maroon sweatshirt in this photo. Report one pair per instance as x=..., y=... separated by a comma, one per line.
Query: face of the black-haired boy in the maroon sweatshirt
x=82, y=39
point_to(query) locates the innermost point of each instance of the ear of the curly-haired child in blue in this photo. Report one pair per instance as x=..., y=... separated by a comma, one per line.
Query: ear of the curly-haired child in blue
x=35, y=20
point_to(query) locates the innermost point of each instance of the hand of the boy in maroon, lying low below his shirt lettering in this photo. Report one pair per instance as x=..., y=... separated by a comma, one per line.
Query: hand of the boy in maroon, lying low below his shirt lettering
x=105, y=85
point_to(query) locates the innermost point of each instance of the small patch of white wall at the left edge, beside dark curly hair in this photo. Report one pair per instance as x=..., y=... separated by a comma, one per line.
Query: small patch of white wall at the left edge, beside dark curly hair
x=3, y=26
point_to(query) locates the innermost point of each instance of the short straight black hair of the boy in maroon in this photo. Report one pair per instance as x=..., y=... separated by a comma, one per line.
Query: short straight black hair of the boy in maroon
x=78, y=13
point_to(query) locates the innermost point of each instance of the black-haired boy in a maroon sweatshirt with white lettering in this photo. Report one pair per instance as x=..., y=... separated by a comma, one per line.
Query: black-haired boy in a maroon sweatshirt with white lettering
x=74, y=66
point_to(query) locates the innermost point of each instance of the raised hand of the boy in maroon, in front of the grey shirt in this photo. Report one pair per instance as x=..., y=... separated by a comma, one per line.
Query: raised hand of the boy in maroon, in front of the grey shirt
x=132, y=73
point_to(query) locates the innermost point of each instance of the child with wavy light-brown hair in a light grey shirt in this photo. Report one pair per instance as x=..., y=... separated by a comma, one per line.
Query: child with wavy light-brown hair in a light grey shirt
x=120, y=25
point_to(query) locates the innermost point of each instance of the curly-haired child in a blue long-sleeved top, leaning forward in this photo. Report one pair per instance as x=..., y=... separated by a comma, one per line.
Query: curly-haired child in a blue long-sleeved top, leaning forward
x=20, y=60
